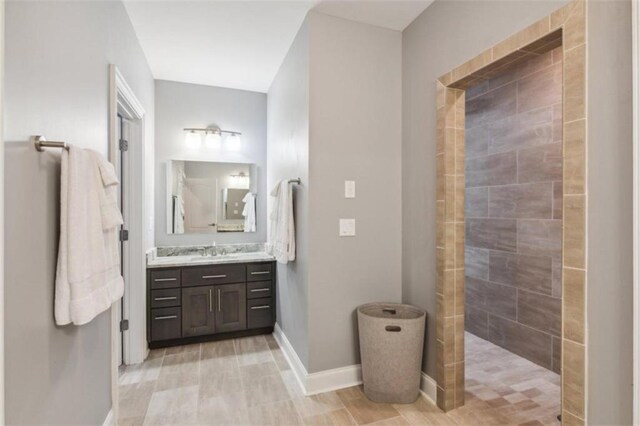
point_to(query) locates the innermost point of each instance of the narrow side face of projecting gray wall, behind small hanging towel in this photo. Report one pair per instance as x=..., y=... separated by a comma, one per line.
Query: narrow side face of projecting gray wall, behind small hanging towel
x=288, y=157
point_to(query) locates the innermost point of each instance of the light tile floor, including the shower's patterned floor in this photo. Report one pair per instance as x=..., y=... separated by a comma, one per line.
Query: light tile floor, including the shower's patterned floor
x=248, y=382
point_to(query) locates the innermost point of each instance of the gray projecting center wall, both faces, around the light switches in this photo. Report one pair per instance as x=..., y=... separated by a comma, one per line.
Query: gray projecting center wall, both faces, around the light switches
x=340, y=121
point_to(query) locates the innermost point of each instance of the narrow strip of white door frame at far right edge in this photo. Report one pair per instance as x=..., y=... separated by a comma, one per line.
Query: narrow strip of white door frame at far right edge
x=636, y=210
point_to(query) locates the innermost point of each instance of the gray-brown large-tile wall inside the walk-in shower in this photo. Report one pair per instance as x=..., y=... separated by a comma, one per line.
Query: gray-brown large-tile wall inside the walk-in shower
x=513, y=209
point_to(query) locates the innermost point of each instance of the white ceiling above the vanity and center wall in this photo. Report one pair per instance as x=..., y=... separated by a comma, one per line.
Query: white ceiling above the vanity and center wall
x=241, y=44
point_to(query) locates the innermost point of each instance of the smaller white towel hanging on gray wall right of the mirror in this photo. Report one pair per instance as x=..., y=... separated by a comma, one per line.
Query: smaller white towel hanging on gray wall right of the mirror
x=282, y=239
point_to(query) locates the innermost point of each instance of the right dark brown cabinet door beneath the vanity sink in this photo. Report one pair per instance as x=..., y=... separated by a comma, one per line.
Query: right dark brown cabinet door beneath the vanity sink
x=231, y=307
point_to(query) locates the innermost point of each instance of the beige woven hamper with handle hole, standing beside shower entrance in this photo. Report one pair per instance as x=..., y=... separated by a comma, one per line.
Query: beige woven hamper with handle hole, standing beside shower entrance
x=391, y=343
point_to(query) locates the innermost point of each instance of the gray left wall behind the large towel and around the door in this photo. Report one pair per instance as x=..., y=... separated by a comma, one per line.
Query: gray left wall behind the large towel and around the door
x=56, y=85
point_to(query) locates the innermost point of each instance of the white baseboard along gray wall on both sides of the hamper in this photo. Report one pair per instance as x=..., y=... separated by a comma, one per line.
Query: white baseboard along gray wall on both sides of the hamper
x=337, y=378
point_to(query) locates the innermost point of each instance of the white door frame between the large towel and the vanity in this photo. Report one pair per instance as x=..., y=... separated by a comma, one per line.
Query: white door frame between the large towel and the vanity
x=123, y=101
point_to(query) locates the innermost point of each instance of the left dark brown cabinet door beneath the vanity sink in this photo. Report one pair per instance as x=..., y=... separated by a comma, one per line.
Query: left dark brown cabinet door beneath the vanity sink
x=198, y=316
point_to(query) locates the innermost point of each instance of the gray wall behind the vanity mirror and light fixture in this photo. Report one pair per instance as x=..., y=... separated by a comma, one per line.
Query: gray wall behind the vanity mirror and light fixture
x=180, y=105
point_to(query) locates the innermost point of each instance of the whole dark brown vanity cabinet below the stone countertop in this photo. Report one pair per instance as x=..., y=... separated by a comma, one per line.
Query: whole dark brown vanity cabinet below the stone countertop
x=205, y=302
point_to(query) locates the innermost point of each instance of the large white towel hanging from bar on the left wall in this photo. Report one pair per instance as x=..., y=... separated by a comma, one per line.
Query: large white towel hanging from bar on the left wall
x=88, y=276
